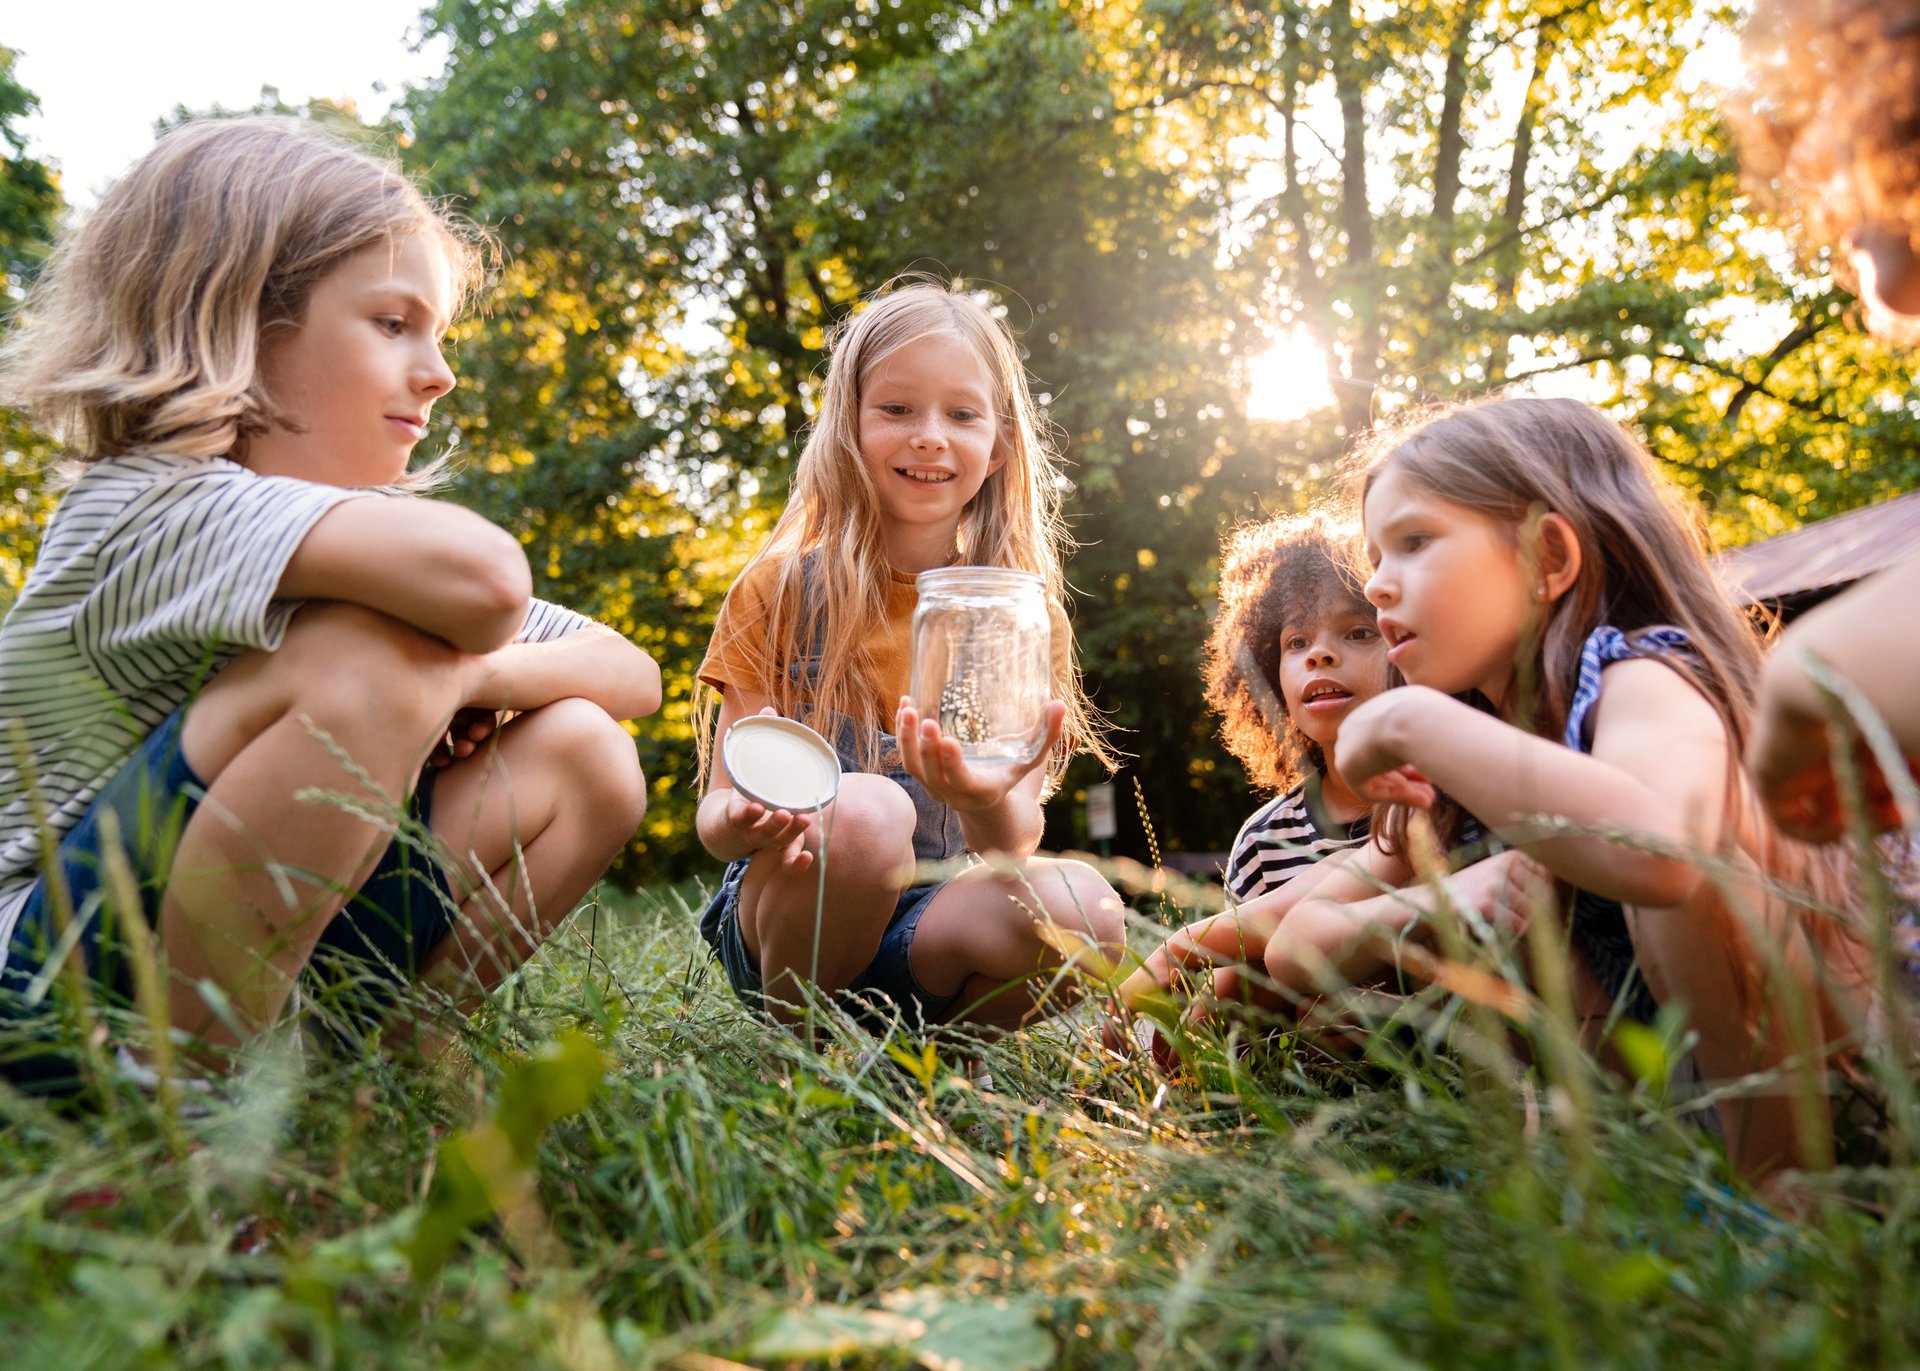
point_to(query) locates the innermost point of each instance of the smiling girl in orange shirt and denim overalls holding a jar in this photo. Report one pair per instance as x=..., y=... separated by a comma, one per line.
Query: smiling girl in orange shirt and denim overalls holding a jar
x=928, y=452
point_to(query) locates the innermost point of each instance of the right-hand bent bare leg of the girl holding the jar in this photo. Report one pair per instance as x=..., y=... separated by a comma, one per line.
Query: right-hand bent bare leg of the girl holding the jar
x=994, y=938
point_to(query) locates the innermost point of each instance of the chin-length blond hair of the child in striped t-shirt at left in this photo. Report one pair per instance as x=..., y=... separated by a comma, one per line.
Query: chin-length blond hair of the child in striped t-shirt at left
x=145, y=329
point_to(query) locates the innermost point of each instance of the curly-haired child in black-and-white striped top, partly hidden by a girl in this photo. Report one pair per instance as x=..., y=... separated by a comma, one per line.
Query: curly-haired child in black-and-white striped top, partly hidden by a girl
x=1295, y=650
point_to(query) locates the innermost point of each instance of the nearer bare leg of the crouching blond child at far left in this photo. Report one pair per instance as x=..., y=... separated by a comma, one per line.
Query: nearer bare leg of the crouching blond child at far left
x=262, y=869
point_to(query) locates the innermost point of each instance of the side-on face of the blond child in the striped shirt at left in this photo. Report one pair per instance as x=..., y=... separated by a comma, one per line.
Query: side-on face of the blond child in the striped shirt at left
x=358, y=377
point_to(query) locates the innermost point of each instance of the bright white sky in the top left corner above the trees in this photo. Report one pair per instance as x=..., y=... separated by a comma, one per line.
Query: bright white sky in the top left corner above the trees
x=108, y=70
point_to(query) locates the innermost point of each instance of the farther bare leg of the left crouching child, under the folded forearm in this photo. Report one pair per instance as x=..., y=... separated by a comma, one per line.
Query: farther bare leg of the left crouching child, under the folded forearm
x=540, y=813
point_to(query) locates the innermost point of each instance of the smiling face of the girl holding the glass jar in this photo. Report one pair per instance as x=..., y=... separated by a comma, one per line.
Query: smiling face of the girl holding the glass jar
x=930, y=441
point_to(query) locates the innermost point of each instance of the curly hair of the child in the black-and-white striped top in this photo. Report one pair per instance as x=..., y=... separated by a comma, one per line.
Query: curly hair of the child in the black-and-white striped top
x=1297, y=569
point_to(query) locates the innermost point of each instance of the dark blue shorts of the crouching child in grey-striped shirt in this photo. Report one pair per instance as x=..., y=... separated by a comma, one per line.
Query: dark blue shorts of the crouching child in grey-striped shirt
x=377, y=942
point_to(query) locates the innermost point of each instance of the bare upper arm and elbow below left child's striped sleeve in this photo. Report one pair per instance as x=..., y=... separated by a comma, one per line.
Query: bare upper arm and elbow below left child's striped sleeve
x=427, y=564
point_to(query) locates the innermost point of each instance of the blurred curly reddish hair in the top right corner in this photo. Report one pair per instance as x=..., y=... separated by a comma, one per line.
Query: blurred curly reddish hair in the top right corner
x=1829, y=118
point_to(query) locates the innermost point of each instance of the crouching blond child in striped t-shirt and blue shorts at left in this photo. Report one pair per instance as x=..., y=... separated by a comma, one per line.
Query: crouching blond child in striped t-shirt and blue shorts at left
x=241, y=646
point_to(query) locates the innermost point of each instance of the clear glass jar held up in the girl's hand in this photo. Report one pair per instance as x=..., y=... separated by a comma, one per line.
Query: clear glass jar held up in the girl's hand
x=984, y=661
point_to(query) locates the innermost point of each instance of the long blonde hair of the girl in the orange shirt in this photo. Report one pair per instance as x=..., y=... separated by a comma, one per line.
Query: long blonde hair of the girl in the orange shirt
x=830, y=535
